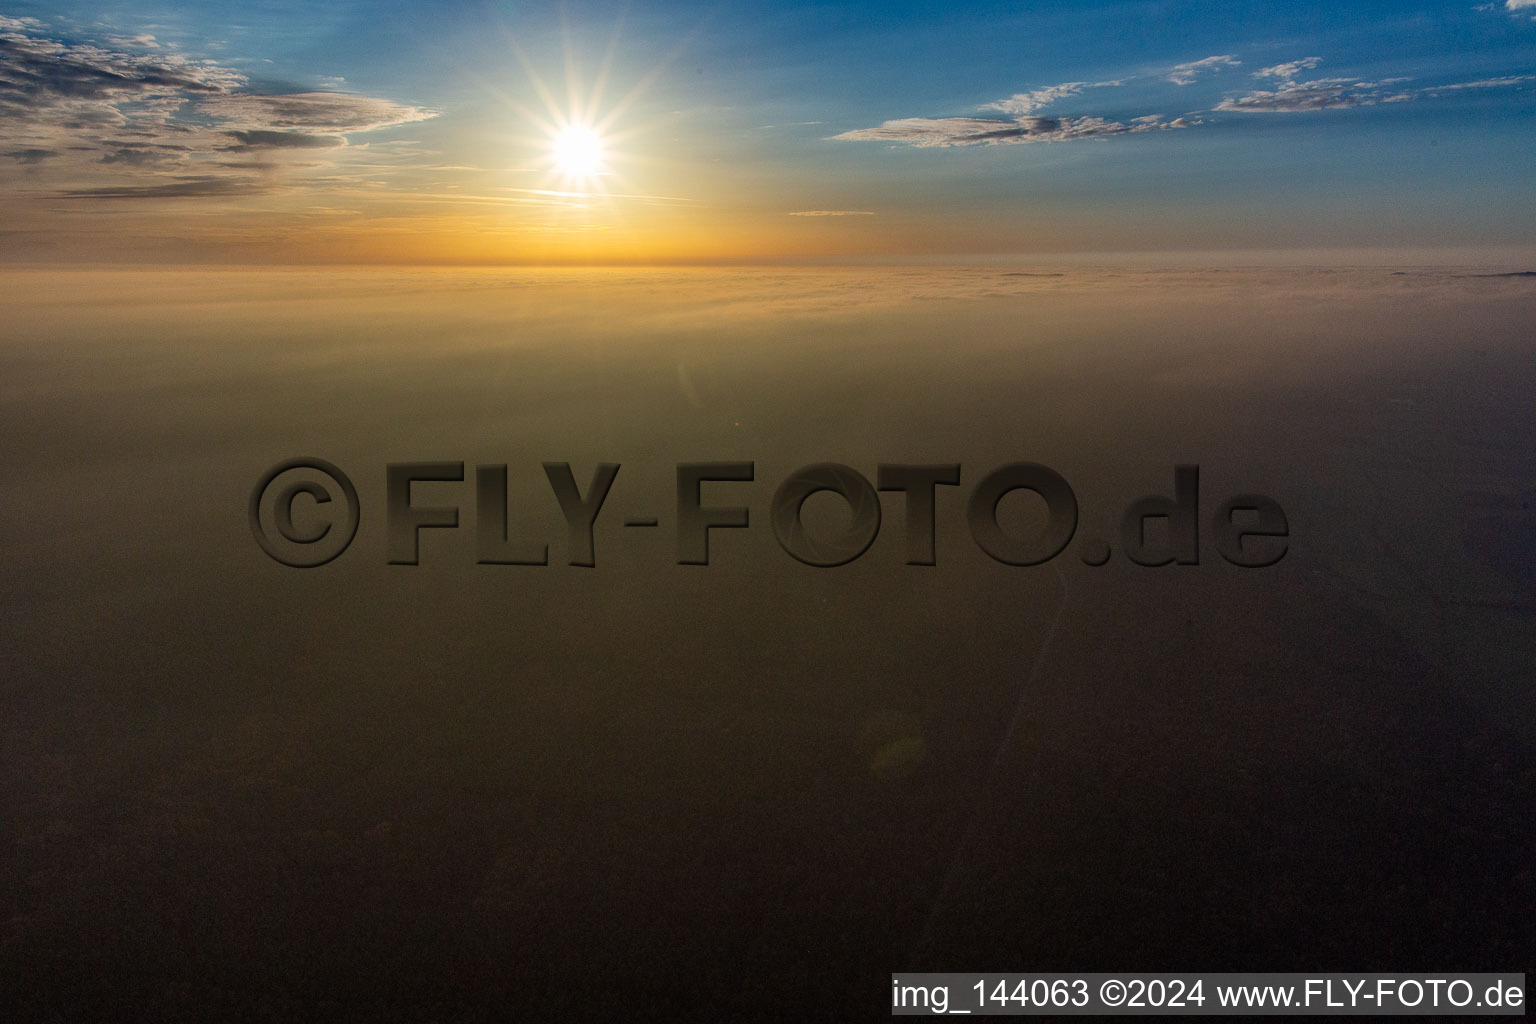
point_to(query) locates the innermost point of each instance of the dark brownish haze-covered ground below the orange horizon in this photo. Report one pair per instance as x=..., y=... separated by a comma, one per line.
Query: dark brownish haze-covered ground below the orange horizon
x=239, y=791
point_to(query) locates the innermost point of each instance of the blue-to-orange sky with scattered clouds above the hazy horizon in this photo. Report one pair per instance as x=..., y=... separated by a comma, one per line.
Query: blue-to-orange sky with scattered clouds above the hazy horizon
x=769, y=131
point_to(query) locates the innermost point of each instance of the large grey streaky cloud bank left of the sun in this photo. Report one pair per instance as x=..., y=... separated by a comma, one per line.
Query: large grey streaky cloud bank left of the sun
x=105, y=117
